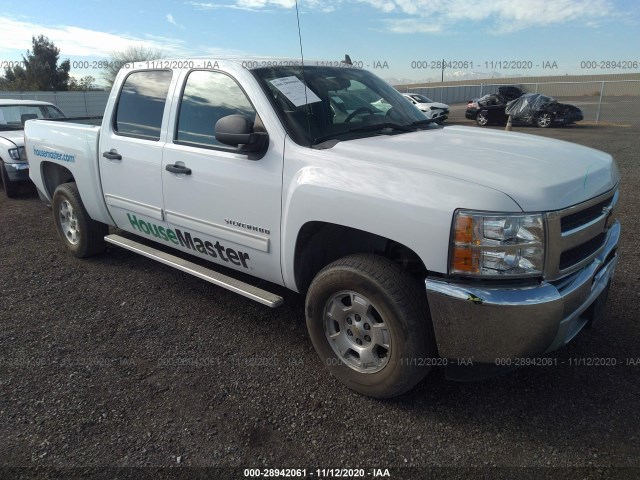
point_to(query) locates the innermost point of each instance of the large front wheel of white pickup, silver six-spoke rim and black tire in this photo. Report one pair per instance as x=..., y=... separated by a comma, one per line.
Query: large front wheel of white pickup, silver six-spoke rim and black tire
x=396, y=310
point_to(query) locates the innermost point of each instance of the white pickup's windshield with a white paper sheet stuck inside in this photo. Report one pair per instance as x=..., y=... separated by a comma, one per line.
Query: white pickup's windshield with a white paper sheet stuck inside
x=339, y=103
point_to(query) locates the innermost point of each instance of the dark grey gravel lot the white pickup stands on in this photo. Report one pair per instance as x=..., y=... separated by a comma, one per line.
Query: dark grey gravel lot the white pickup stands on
x=117, y=361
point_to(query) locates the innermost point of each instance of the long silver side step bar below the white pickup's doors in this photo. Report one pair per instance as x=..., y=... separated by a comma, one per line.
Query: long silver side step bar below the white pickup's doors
x=254, y=293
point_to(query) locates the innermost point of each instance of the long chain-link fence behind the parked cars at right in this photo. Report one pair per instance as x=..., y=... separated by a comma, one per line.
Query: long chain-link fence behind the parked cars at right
x=608, y=101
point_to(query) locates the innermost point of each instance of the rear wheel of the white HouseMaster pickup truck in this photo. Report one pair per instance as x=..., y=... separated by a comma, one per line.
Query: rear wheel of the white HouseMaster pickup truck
x=80, y=234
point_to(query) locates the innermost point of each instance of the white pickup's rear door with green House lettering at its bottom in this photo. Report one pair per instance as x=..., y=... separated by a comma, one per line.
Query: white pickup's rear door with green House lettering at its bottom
x=131, y=144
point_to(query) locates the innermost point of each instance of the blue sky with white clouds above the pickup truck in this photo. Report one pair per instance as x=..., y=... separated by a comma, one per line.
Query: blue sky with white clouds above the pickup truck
x=400, y=40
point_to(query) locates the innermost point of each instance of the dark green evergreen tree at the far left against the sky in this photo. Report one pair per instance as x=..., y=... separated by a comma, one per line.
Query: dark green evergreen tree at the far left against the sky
x=41, y=70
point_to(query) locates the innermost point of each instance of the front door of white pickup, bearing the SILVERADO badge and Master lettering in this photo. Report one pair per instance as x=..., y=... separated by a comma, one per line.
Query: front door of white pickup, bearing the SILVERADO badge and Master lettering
x=221, y=204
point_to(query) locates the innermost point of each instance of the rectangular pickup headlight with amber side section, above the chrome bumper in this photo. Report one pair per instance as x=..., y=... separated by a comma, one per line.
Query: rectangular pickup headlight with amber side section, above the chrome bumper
x=489, y=244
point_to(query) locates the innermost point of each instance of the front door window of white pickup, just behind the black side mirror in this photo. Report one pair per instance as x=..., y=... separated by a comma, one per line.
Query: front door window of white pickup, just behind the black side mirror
x=207, y=97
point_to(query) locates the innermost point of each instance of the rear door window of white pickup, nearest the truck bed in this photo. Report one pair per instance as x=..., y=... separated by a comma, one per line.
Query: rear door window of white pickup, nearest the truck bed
x=141, y=104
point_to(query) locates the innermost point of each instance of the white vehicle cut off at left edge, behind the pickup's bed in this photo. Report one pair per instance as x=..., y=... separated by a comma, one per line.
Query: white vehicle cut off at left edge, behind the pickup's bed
x=14, y=167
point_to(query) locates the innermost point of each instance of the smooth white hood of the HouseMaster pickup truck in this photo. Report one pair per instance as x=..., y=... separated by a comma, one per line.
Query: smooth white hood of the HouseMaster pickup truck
x=538, y=173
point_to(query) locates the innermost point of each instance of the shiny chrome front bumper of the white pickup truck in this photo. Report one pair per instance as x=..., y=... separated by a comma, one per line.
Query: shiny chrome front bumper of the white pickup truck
x=485, y=323
